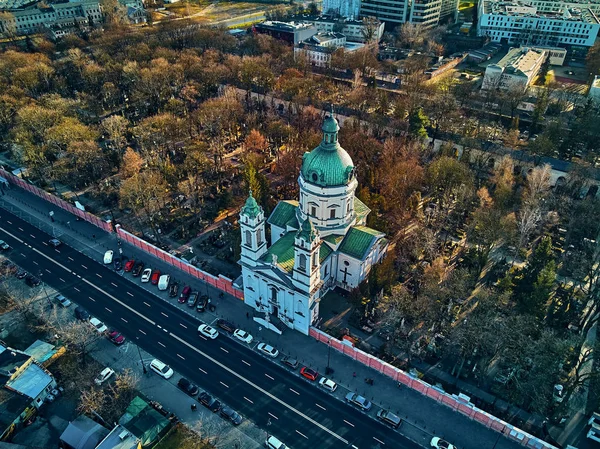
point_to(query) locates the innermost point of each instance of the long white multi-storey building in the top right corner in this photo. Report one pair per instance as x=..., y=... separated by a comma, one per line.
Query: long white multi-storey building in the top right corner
x=520, y=23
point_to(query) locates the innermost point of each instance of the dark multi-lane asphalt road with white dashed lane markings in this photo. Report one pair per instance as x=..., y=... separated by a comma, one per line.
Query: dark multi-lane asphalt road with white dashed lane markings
x=296, y=411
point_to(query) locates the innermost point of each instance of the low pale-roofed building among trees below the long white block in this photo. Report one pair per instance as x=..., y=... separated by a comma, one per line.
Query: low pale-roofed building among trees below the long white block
x=518, y=68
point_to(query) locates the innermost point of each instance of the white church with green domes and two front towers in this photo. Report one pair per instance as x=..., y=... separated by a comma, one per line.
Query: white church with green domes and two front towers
x=317, y=243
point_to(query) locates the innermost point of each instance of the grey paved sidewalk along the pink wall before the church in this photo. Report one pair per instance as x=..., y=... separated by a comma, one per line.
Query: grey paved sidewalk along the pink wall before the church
x=422, y=415
